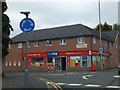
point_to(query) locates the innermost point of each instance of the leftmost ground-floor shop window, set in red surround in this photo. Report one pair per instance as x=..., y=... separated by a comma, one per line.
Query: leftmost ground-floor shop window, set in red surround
x=37, y=61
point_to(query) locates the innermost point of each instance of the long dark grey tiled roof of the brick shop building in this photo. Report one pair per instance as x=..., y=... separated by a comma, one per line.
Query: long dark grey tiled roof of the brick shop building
x=59, y=32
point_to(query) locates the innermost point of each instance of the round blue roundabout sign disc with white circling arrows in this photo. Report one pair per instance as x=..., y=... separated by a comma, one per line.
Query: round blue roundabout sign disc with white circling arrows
x=27, y=25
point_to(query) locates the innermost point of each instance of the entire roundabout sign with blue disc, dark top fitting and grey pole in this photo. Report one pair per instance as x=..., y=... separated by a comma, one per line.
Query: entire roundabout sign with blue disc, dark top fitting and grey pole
x=26, y=25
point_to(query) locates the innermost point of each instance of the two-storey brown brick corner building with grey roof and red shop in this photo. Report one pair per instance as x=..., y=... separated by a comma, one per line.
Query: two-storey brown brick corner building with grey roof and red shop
x=73, y=47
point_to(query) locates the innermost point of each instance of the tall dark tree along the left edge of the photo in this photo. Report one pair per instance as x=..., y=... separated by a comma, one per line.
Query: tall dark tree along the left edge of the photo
x=6, y=28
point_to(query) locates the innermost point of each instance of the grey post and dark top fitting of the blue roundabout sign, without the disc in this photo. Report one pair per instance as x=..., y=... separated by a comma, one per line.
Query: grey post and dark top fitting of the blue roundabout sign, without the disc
x=26, y=62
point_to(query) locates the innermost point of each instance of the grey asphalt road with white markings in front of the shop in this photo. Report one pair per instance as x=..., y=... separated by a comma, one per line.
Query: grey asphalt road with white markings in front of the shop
x=98, y=79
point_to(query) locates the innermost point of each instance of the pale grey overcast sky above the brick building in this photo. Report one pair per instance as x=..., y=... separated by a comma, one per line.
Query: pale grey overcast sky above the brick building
x=55, y=13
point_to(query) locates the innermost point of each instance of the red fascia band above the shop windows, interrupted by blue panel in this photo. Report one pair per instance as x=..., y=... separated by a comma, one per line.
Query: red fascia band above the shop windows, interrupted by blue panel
x=65, y=53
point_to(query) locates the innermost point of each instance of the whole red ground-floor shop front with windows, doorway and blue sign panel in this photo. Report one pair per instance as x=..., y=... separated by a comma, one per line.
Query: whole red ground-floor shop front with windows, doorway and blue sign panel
x=65, y=60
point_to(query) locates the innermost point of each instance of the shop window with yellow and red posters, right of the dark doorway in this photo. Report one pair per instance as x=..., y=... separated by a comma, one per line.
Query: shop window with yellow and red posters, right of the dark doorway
x=74, y=61
